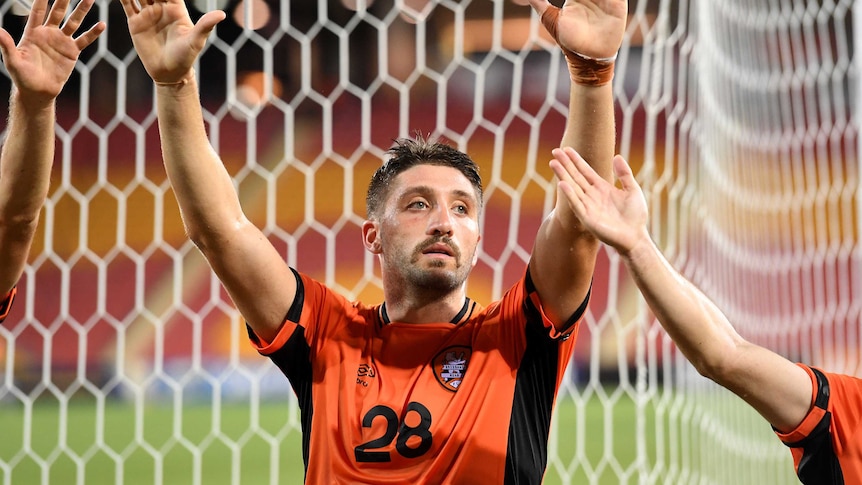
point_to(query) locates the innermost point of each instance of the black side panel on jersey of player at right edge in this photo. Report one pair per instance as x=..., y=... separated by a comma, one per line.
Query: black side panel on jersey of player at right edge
x=818, y=464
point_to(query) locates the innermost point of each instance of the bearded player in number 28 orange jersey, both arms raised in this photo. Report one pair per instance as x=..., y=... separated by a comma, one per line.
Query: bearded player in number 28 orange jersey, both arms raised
x=428, y=386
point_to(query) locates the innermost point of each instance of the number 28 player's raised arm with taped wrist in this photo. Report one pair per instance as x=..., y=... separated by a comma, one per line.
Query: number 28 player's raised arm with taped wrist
x=590, y=34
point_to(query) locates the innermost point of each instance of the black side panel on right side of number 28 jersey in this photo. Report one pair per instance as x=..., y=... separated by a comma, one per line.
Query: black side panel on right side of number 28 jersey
x=533, y=402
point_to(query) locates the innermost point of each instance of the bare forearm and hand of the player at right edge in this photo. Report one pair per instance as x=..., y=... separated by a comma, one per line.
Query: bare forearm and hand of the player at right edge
x=777, y=388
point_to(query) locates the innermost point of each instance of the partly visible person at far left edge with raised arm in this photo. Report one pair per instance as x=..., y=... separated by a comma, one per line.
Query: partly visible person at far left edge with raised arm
x=39, y=66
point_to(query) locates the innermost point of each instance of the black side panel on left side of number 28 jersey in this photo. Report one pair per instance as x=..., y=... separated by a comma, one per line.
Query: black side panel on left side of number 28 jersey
x=294, y=361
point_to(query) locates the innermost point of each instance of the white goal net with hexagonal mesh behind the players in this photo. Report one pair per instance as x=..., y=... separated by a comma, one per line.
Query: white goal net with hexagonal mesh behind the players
x=123, y=360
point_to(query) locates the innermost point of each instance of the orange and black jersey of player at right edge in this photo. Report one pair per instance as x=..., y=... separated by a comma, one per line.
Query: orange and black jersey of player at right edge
x=827, y=445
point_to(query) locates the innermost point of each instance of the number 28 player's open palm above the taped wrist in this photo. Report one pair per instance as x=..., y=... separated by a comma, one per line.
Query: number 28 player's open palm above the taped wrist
x=590, y=28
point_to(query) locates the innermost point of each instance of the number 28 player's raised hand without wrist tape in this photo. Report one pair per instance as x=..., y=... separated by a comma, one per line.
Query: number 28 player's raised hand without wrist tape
x=166, y=40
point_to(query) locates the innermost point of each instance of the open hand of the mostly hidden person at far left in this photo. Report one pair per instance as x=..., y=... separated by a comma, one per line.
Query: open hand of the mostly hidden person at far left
x=44, y=58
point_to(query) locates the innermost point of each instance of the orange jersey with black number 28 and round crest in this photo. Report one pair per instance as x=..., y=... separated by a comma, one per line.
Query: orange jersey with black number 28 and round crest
x=461, y=402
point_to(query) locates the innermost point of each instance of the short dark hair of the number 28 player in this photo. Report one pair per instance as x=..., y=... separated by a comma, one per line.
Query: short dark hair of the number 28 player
x=410, y=152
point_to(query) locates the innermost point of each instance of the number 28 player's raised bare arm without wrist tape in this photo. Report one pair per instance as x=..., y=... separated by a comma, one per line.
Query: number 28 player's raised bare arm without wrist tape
x=251, y=270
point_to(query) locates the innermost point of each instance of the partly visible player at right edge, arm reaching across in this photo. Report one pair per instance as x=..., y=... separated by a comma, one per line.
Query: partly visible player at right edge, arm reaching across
x=815, y=413
